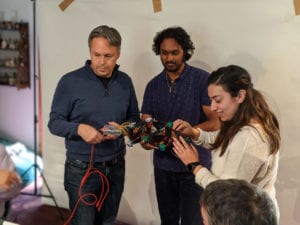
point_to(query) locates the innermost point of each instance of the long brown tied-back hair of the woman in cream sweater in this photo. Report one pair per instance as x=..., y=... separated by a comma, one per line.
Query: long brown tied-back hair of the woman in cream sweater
x=233, y=79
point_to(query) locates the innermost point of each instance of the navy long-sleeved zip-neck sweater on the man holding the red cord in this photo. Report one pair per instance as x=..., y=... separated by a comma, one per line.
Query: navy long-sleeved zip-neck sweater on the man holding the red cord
x=80, y=97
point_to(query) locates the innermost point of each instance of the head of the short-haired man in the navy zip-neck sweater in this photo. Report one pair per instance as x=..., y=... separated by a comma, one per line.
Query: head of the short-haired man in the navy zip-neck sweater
x=105, y=46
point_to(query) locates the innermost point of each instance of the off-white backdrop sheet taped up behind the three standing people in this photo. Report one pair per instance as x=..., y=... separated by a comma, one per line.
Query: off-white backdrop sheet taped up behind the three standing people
x=262, y=36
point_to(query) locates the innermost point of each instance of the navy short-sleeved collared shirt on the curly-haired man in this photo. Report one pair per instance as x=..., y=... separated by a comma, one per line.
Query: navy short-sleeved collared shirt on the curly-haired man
x=185, y=102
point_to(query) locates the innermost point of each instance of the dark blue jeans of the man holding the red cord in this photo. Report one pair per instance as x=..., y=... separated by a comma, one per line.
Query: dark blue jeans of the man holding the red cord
x=88, y=214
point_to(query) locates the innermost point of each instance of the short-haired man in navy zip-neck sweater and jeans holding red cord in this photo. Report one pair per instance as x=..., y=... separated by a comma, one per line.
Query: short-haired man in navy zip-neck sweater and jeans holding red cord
x=85, y=100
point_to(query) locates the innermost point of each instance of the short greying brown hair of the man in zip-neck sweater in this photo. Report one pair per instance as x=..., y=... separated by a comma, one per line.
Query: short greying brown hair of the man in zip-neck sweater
x=110, y=33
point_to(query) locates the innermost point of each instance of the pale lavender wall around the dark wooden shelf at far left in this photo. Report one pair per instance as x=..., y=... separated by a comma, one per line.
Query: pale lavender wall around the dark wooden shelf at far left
x=16, y=106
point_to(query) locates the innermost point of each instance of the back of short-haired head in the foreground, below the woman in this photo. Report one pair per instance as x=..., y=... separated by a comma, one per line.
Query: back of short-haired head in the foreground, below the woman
x=236, y=202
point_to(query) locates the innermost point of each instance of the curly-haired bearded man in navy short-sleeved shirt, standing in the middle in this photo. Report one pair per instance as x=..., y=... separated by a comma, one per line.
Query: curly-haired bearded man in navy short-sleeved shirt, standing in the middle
x=178, y=91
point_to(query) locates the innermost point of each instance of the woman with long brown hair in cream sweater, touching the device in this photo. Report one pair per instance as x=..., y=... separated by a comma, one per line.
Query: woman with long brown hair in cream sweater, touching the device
x=247, y=144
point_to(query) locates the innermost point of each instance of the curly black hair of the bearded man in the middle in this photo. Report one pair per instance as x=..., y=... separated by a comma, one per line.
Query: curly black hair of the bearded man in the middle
x=180, y=35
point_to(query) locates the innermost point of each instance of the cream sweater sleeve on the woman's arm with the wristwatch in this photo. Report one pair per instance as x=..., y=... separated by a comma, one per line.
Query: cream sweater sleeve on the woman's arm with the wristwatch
x=243, y=159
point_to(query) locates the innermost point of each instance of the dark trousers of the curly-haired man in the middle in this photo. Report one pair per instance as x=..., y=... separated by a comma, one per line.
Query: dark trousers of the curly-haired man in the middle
x=178, y=198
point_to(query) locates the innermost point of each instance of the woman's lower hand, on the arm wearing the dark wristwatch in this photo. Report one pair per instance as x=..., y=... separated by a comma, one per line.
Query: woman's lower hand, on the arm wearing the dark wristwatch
x=187, y=153
